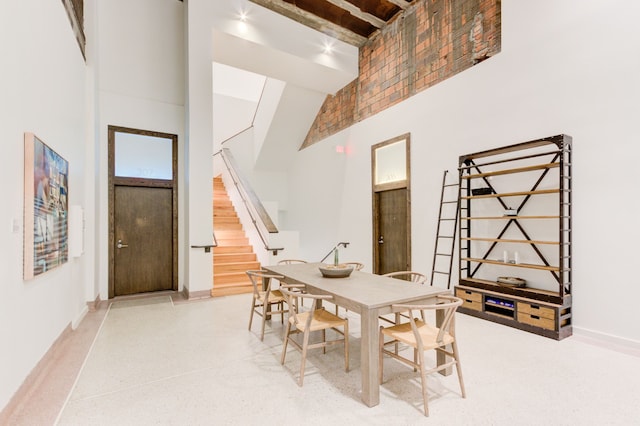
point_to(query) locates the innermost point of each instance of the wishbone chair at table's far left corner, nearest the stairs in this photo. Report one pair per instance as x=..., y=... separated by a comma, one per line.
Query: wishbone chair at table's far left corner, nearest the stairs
x=264, y=301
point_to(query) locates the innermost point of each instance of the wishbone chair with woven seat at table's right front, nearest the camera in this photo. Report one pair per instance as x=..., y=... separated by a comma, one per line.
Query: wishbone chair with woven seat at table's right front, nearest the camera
x=422, y=337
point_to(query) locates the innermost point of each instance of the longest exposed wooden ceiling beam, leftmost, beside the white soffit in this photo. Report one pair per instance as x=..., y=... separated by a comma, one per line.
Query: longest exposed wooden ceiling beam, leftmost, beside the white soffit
x=313, y=21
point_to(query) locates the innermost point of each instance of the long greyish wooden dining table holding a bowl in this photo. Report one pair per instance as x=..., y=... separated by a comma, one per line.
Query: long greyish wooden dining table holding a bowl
x=367, y=294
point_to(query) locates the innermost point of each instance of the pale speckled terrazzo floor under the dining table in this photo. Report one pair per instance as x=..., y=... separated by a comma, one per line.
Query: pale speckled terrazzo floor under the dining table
x=159, y=362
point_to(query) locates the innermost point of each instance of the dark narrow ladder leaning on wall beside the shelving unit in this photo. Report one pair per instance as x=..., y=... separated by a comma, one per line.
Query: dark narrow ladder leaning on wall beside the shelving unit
x=446, y=232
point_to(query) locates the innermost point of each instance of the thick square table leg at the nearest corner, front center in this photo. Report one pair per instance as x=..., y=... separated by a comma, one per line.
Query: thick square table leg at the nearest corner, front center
x=369, y=357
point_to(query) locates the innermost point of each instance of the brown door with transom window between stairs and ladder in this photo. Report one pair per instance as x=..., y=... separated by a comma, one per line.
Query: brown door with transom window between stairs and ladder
x=391, y=206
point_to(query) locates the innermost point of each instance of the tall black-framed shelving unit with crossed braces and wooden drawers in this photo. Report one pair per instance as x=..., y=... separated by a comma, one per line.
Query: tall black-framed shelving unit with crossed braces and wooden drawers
x=487, y=179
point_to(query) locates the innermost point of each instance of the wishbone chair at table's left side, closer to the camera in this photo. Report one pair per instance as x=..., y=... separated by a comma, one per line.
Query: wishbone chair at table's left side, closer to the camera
x=314, y=319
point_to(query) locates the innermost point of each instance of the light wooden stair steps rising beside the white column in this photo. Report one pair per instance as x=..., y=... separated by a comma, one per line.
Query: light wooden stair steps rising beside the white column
x=234, y=255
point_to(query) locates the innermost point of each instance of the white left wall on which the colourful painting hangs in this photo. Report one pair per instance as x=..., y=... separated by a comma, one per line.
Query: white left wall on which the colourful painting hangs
x=42, y=90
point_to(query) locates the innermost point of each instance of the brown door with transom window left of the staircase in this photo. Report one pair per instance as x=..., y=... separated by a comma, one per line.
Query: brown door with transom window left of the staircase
x=142, y=211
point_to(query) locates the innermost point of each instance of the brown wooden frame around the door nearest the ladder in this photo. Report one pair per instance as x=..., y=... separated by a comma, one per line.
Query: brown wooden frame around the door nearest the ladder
x=377, y=188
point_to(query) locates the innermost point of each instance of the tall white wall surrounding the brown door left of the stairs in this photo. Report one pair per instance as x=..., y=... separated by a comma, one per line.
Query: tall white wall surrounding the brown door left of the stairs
x=141, y=84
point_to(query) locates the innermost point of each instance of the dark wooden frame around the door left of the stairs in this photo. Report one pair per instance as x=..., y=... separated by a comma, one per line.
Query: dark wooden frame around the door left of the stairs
x=114, y=181
